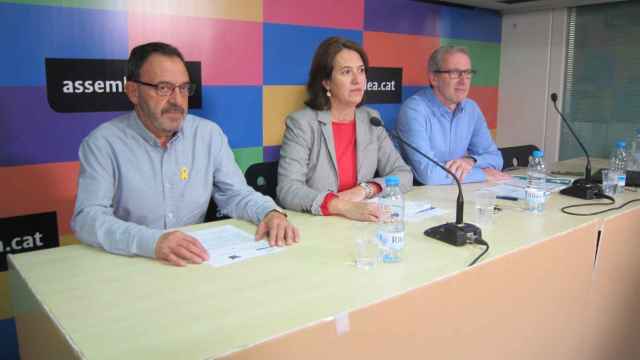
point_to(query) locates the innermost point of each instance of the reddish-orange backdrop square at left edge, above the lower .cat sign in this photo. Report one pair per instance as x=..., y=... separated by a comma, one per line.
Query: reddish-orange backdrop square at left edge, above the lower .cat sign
x=39, y=188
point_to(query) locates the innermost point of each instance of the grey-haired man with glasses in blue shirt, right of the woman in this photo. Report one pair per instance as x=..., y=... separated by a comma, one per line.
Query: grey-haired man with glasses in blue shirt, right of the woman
x=441, y=122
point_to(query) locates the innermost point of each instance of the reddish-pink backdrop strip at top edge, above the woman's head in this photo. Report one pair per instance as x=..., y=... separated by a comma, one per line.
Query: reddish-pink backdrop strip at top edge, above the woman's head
x=327, y=13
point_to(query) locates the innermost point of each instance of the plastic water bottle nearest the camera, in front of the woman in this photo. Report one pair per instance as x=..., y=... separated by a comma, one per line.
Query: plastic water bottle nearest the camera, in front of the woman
x=391, y=226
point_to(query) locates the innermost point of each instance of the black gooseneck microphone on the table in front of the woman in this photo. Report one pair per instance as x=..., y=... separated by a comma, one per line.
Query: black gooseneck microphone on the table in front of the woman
x=458, y=233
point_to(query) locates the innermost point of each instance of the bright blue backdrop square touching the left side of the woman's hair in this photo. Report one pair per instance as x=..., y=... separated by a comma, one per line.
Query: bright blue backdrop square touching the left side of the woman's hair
x=288, y=51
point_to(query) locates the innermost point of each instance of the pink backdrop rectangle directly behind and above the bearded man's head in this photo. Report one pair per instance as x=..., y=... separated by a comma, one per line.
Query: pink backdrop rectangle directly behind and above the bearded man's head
x=230, y=51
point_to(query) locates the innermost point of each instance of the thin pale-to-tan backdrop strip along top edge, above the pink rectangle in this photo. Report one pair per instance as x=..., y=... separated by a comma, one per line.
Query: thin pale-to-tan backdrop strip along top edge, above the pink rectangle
x=248, y=10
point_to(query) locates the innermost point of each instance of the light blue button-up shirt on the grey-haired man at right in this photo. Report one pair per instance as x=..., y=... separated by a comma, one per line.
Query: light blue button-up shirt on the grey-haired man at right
x=445, y=135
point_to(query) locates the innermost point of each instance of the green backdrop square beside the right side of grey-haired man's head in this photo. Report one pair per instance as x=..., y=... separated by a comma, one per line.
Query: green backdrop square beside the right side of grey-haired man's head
x=485, y=58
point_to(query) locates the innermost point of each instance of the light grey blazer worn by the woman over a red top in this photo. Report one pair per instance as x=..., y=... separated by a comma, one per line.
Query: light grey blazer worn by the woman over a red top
x=308, y=169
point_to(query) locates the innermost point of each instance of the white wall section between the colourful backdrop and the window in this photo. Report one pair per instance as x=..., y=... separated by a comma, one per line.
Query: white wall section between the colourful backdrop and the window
x=531, y=68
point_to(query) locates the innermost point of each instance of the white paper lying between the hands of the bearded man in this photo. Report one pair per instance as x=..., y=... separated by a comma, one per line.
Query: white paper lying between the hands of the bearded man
x=227, y=245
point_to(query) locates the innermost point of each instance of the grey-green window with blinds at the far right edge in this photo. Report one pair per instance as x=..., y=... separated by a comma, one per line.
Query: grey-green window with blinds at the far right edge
x=602, y=90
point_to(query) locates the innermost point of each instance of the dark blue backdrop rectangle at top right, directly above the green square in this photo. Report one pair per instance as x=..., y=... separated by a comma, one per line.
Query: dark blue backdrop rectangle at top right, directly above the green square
x=470, y=24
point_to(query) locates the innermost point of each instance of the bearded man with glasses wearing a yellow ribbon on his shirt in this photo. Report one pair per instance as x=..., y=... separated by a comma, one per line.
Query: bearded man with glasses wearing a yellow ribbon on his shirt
x=157, y=167
